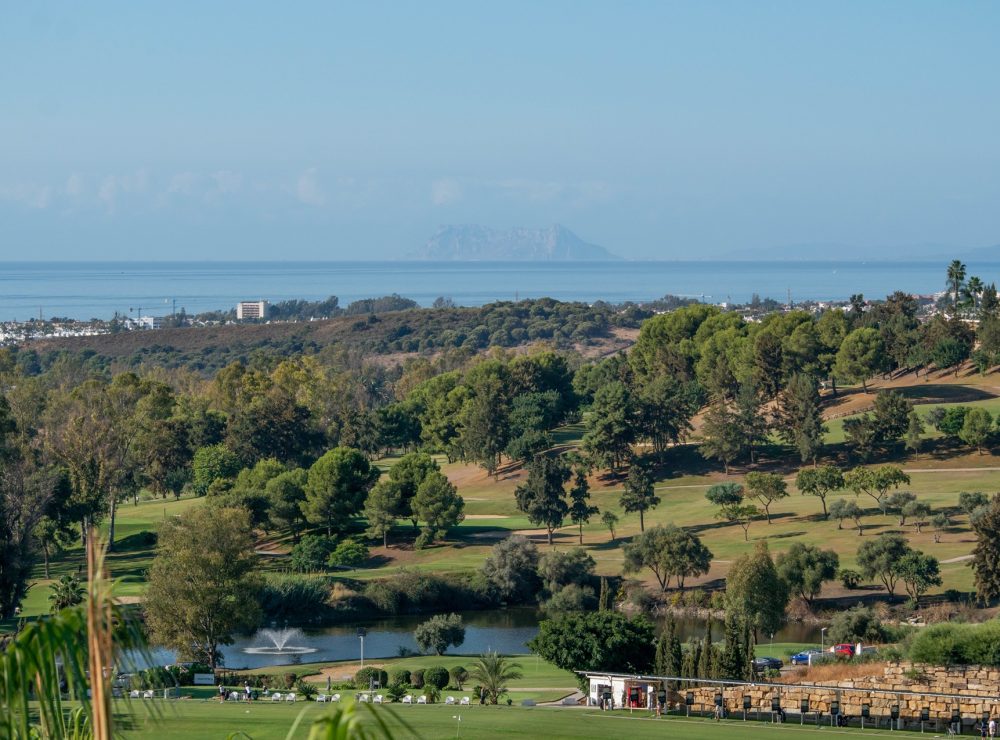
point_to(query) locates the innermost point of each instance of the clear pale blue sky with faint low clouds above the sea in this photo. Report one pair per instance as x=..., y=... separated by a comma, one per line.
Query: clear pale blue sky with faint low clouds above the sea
x=352, y=130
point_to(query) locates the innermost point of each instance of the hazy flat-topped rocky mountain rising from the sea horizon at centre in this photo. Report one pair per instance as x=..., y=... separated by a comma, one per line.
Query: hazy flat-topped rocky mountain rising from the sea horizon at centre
x=478, y=243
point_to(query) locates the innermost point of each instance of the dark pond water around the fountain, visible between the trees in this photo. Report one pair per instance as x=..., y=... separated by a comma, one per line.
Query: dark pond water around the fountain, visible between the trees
x=507, y=631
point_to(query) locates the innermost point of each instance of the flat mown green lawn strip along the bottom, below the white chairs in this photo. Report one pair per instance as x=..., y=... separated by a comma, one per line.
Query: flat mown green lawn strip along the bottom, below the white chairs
x=205, y=720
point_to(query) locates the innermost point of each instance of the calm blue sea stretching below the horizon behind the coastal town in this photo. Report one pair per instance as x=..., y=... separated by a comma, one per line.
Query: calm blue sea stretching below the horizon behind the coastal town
x=86, y=290
